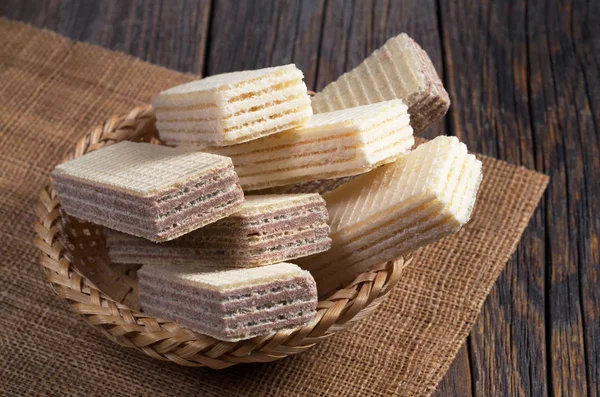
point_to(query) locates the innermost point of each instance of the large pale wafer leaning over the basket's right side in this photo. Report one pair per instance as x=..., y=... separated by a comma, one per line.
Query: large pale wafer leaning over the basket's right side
x=423, y=197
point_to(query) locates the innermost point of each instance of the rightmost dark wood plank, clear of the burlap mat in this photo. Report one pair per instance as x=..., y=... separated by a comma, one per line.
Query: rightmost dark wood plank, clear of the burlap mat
x=565, y=110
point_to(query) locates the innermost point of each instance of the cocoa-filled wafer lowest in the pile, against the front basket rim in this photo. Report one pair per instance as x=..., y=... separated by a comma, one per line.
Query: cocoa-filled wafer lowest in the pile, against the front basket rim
x=230, y=305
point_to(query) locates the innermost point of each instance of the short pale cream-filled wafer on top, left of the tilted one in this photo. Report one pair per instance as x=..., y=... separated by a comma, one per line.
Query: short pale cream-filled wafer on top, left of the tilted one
x=233, y=107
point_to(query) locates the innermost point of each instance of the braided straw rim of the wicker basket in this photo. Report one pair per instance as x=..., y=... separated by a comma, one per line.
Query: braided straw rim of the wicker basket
x=166, y=340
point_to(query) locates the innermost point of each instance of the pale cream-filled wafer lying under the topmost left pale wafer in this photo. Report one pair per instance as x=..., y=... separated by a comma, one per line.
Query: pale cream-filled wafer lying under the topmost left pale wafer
x=330, y=145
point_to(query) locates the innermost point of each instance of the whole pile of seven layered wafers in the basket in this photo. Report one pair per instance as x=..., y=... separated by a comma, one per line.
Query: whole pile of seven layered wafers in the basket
x=216, y=260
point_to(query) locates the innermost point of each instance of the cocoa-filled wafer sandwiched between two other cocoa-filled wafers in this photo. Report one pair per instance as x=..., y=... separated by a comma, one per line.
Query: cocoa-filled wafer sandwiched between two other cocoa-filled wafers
x=267, y=229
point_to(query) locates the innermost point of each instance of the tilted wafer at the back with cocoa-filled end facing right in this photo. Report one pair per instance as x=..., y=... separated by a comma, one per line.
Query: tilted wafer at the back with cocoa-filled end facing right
x=400, y=69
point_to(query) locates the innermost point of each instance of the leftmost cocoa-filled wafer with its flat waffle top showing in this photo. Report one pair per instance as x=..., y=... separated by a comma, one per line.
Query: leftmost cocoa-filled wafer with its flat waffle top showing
x=150, y=191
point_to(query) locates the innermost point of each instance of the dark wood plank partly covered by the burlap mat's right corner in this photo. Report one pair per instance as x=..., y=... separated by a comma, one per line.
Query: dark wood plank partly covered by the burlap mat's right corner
x=488, y=85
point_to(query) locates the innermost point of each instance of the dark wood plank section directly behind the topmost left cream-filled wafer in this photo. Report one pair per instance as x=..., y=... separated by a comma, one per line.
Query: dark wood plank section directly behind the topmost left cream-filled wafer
x=253, y=35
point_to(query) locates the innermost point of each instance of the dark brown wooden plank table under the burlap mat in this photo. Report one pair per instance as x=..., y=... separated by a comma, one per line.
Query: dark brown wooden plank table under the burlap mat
x=524, y=79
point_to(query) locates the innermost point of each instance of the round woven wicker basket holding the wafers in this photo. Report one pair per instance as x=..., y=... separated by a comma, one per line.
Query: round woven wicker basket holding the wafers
x=74, y=259
